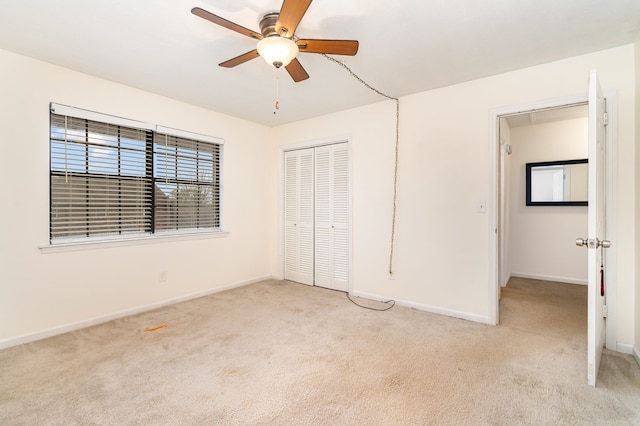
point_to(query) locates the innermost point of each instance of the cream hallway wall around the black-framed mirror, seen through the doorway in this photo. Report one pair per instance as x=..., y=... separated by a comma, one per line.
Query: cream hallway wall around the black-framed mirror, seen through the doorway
x=542, y=238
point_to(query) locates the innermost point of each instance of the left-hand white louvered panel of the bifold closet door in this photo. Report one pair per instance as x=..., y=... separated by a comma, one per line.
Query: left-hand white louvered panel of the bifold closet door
x=298, y=216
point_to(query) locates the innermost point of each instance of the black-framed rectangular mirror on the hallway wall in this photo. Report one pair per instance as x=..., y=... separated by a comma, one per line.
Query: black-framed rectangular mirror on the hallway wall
x=558, y=183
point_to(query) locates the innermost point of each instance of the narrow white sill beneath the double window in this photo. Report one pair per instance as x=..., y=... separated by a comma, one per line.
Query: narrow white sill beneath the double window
x=98, y=243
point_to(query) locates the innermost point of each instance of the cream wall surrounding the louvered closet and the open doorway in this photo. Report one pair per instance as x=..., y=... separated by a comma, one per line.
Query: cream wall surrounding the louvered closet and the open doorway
x=442, y=242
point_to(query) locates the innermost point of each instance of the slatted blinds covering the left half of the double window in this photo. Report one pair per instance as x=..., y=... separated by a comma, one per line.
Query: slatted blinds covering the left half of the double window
x=99, y=183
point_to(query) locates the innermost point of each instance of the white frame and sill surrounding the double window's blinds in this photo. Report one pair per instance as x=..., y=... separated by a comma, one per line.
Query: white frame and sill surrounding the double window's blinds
x=114, y=239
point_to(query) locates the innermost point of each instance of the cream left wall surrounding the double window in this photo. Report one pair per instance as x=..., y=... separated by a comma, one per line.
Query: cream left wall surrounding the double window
x=43, y=292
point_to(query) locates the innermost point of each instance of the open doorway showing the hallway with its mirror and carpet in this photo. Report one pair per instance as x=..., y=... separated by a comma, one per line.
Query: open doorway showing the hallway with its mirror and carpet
x=542, y=274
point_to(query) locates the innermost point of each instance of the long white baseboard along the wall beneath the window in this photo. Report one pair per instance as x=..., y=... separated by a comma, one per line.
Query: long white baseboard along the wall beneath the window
x=31, y=337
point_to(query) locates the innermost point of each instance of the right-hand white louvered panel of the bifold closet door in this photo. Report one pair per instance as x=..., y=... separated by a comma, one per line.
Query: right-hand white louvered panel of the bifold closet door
x=332, y=217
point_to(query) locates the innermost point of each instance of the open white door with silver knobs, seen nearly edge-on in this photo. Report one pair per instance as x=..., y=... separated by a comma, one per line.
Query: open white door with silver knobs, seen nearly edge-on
x=595, y=241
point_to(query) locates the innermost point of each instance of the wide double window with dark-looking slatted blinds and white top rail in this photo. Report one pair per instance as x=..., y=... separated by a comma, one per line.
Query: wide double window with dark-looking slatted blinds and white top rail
x=114, y=177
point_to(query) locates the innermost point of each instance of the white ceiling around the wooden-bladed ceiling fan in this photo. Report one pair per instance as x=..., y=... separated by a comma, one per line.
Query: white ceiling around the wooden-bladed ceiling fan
x=406, y=46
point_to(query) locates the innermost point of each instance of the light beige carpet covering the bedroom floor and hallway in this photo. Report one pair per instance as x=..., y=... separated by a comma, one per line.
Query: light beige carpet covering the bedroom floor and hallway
x=282, y=353
